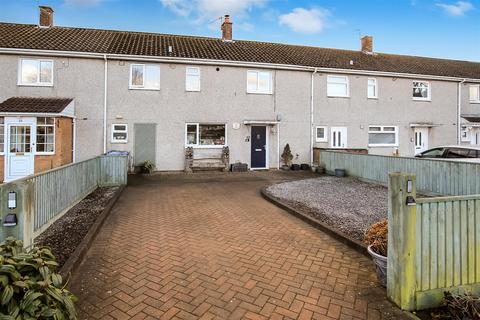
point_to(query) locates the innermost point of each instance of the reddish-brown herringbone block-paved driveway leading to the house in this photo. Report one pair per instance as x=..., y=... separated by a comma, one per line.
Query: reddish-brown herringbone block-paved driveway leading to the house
x=210, y=247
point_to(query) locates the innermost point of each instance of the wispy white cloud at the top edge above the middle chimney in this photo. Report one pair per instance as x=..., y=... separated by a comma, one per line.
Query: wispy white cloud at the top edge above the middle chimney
x=206, y=10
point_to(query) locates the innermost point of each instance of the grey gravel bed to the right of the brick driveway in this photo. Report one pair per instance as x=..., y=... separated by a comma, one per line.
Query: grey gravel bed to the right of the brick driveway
x=346, y=204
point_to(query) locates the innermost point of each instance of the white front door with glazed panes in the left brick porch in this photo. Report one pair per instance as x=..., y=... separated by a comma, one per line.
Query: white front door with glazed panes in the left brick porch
x=19, y=149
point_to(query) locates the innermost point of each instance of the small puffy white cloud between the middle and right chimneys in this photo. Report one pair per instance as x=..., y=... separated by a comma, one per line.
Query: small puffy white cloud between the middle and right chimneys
x=306, y=21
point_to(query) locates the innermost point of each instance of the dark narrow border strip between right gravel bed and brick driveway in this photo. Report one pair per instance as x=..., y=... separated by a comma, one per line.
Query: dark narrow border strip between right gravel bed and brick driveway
x=335, y=233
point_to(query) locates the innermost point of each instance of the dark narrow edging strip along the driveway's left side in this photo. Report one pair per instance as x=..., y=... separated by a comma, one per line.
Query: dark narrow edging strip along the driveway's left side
x=76, y=258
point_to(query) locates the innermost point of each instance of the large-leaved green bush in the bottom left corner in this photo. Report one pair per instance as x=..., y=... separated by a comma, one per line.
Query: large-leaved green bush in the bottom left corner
x=29, y=286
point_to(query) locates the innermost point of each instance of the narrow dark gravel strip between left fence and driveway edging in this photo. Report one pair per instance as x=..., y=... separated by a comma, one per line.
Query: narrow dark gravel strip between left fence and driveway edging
x=65, y=234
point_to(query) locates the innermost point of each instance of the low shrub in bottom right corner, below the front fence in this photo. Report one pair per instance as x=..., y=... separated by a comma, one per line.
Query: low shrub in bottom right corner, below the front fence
x=461, y=307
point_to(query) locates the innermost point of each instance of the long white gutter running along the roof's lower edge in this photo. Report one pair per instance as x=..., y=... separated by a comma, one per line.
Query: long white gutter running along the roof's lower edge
x=91, y=55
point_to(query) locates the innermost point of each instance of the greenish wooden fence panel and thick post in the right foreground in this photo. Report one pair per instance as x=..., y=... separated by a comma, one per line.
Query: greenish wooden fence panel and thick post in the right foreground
x=433, y=245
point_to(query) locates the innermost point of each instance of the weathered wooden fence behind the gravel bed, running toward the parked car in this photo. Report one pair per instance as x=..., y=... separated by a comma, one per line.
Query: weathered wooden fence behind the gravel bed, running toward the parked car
x=440, y=177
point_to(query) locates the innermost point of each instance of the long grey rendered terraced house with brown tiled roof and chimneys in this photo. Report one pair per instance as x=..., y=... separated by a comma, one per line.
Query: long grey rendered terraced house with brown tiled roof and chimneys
x=72, y=93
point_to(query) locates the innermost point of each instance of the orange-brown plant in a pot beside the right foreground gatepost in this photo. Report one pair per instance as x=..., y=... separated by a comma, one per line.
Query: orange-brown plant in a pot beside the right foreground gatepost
x=376, y=238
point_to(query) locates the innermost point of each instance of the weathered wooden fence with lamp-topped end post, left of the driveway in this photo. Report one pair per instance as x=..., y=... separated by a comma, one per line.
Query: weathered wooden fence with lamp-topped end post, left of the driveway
x=39, y=200
